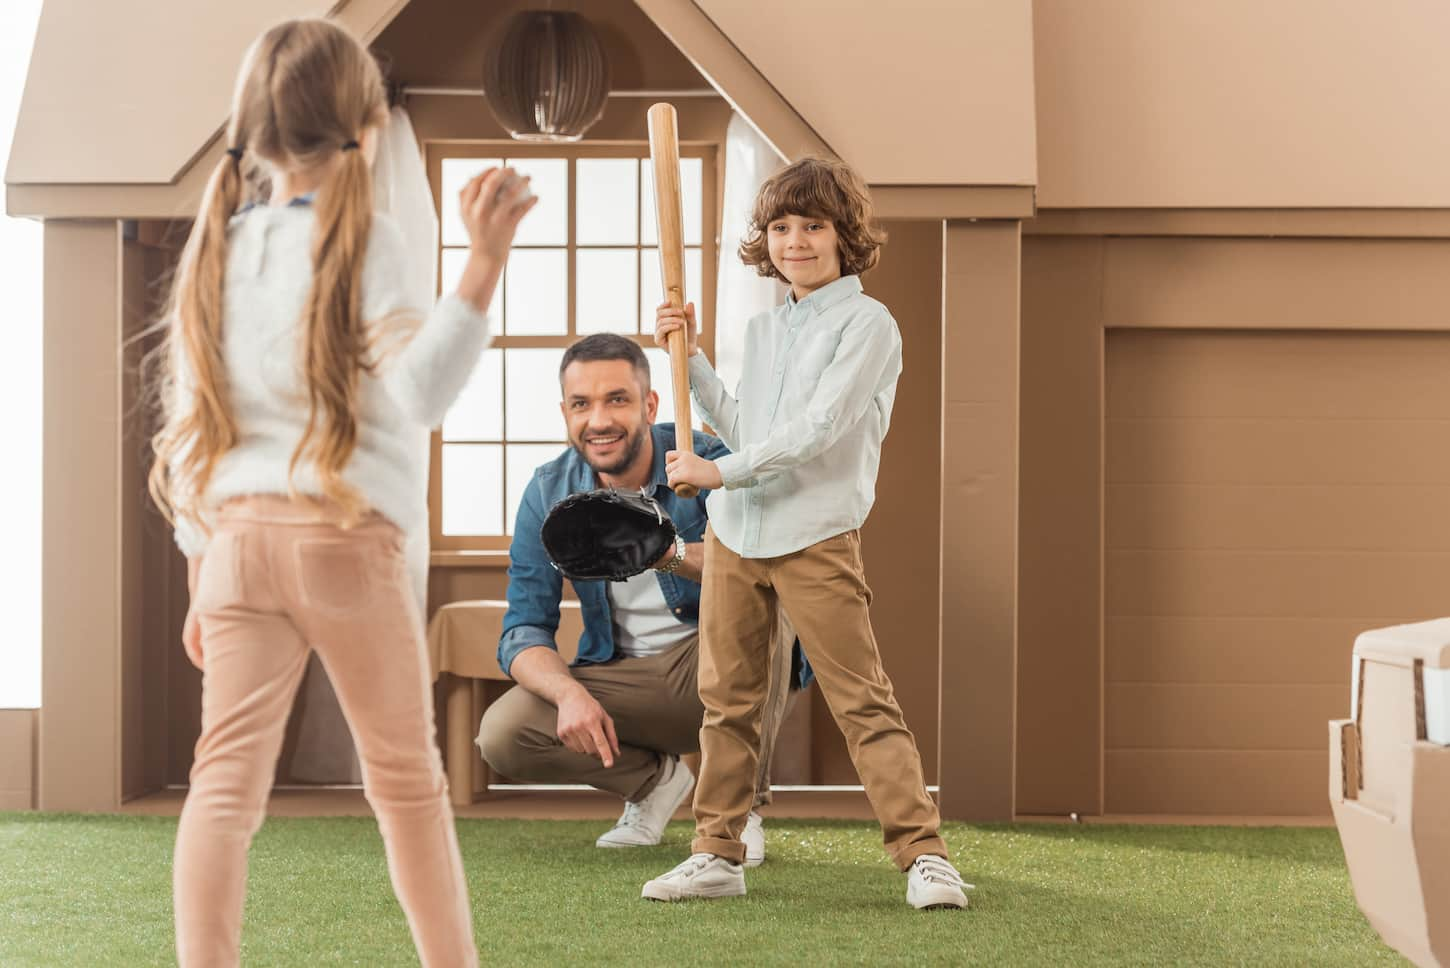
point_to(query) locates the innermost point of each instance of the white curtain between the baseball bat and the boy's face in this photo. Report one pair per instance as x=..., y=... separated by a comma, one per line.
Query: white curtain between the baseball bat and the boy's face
x=740, y=292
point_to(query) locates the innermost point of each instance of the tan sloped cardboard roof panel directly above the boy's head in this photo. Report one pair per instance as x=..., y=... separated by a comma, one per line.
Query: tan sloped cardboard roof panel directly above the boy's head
x=910, y=92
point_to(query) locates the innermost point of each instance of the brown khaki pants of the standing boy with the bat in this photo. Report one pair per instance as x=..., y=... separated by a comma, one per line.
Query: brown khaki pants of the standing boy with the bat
x=824, y=591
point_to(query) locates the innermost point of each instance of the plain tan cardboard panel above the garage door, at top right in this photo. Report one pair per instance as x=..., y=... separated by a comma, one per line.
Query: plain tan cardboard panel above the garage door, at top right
x=1240, y=104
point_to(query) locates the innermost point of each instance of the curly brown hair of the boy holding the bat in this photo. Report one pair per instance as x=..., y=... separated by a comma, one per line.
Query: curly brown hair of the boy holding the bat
x=821, y=189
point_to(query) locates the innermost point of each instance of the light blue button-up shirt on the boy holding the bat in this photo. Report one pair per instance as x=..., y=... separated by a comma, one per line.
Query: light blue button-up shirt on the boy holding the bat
x=807, y=422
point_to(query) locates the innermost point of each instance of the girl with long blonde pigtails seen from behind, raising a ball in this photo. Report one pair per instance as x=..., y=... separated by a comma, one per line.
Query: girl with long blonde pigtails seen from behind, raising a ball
x=298, y=372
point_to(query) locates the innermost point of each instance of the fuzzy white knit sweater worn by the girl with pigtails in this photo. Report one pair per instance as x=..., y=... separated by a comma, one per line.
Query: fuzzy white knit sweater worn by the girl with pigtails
x=269, y=273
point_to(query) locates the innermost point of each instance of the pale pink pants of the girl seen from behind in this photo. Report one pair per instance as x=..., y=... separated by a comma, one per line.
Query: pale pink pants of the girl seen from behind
x=278, y=582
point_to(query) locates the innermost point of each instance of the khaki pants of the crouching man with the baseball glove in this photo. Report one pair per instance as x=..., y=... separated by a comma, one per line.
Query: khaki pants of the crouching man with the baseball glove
x=658, y=712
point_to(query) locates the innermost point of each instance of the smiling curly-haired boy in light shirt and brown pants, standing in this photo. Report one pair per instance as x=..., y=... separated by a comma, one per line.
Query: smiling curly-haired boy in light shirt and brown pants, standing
x=805, y=428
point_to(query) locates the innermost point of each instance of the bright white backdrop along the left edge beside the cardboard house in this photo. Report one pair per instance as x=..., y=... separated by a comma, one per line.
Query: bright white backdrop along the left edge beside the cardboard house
x=20, y=396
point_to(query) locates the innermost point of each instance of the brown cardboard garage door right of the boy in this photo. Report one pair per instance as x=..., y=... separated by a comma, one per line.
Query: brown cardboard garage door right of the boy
x=1269, y=496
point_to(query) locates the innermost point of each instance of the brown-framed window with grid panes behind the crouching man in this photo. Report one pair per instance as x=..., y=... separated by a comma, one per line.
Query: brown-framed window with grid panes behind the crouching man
x=585, y=262
